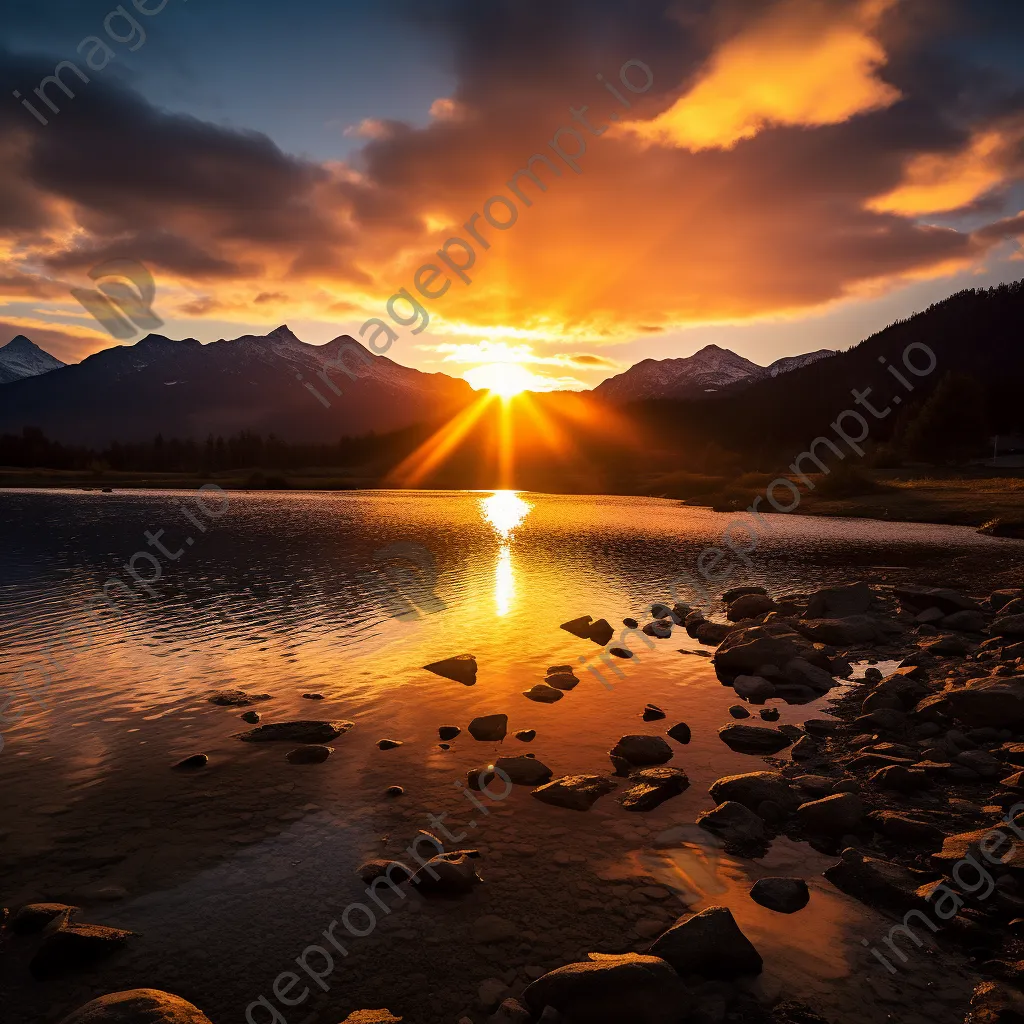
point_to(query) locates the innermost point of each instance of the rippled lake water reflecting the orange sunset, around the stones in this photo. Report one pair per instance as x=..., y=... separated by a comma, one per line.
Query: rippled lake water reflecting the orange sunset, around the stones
x=231, y=873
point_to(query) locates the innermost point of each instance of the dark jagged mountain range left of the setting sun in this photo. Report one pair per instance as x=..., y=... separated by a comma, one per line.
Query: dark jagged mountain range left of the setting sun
x=186, y=390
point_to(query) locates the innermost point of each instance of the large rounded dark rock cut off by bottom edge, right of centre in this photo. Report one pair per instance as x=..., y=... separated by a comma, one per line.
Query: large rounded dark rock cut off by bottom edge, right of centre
x=610, y=990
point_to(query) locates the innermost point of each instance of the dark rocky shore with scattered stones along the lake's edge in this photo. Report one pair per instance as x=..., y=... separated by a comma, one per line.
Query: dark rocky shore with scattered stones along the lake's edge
x=916, y=787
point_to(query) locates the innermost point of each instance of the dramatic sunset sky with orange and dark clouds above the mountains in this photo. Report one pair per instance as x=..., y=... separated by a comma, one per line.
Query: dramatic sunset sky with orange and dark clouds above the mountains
x=773, y=177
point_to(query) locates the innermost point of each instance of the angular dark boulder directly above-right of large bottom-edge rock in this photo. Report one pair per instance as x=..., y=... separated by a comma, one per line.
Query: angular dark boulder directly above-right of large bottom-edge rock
x=710, y=945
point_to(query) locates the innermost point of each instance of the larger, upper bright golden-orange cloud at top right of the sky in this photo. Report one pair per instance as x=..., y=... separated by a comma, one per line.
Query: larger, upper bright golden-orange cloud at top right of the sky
x=804, y=64
